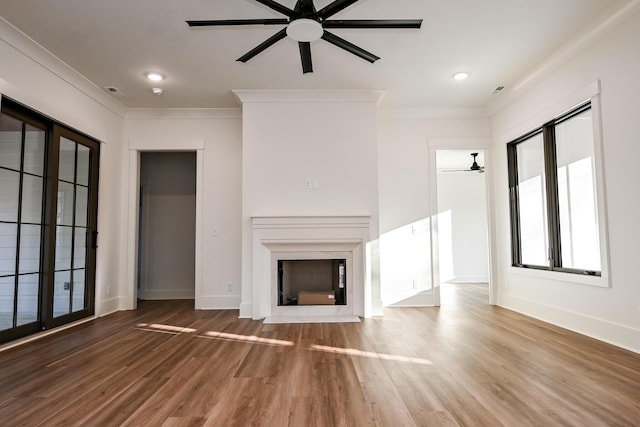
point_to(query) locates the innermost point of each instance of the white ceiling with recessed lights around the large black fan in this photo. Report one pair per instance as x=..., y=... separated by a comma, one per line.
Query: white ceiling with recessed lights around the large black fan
x=499, y=42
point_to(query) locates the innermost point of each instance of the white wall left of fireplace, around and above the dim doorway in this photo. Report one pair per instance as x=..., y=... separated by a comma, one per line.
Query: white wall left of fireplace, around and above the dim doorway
x=218, y=132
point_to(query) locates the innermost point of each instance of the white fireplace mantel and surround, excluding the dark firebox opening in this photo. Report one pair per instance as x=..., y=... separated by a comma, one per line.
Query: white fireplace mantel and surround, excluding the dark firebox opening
x=308, y=237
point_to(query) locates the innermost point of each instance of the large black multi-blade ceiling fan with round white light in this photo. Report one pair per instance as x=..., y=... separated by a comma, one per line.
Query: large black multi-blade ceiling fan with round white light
x=306, y=24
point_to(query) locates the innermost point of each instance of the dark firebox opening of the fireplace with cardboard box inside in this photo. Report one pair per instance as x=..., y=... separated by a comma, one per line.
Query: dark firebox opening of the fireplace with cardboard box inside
x=312, y=282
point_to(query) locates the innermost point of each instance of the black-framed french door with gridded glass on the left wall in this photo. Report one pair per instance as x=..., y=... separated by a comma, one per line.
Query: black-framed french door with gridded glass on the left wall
x=48, y=211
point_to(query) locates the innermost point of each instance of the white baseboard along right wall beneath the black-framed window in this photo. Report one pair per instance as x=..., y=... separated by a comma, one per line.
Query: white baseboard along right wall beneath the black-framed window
x=622, y=336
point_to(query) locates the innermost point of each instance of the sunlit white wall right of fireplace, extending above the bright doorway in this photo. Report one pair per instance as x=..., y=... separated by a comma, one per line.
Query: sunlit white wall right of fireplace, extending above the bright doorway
x=406, y=188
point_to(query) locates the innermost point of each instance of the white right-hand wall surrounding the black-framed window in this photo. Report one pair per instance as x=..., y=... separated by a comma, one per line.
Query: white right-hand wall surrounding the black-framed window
x=611, y=314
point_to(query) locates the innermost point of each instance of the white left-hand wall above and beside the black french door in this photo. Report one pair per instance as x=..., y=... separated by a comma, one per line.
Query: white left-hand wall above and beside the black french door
x=33, y=77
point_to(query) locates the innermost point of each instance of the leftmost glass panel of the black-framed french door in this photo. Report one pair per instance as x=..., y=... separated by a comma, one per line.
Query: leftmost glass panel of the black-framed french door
x=22, y=165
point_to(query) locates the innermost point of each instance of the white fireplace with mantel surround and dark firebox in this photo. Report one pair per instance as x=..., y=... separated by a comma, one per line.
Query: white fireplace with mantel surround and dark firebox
x=314, y=242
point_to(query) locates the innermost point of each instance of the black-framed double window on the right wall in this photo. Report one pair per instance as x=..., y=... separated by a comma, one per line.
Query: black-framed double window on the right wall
x=554, y=204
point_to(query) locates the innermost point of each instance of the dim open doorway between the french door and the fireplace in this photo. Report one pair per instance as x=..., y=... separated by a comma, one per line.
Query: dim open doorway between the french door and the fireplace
x=167, y=226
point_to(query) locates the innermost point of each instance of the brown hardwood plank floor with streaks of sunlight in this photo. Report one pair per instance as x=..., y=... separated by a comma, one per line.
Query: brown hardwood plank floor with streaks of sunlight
x=466, y=363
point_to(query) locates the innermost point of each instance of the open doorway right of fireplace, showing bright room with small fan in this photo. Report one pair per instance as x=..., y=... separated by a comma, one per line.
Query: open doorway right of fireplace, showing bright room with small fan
x=462, y=237
